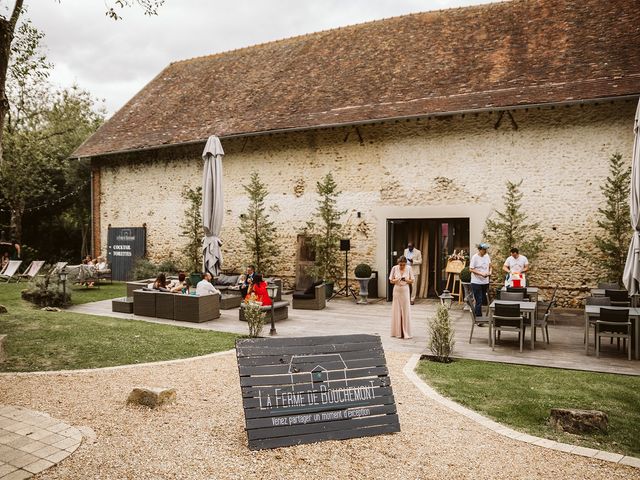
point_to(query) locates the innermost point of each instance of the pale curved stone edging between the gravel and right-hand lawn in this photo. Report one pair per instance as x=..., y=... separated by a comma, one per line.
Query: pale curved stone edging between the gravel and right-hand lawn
x=409, y=371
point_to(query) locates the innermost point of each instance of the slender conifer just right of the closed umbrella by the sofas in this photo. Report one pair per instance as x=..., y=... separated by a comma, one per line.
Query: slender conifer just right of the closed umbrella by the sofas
x=259, y=231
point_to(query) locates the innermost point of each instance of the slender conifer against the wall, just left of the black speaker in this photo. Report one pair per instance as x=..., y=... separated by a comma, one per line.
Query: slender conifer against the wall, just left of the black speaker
x=325, y=233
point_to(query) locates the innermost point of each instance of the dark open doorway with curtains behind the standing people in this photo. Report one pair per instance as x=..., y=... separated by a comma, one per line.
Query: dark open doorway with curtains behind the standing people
x=436, y=239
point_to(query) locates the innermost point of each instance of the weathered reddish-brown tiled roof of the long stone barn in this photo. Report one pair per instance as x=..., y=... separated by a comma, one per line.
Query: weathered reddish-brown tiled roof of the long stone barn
x=496, y=55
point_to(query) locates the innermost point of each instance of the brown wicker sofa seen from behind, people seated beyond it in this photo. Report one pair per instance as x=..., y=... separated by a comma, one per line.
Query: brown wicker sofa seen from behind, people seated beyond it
x=176, y=306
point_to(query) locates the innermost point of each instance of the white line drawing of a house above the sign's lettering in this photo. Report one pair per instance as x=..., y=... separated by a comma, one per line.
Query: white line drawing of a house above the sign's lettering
x=329, y=368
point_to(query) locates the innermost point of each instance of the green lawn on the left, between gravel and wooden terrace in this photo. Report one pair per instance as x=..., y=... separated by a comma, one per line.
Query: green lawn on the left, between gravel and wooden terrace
x=39, y=340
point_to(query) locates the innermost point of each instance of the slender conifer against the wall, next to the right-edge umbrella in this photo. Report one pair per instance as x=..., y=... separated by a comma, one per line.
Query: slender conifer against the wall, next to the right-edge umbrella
x=615, y=222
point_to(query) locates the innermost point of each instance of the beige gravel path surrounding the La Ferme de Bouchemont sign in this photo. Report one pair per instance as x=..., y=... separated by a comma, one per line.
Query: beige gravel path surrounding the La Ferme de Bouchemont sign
x=201, y=436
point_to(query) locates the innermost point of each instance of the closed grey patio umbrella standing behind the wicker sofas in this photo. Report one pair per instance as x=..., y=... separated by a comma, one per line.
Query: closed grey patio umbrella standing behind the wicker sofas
x=212, y=205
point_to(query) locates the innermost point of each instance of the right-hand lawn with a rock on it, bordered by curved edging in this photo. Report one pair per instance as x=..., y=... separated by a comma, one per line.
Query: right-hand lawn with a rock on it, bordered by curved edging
x=522, y=396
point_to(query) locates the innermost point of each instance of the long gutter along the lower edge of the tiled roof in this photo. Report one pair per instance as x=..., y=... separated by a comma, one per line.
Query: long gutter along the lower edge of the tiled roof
x=362, y=122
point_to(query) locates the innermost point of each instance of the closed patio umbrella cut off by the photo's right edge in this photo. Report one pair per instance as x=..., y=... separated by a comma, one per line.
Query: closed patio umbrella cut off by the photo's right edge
x=631, y=275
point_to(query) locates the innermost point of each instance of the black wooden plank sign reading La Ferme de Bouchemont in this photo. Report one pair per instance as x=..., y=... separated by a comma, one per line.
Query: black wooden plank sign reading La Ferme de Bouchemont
x=309, y=389
